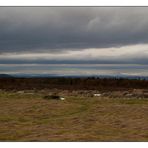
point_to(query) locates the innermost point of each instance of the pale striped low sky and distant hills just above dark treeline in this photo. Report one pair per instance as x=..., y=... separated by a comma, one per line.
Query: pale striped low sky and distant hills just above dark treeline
x=77, y=70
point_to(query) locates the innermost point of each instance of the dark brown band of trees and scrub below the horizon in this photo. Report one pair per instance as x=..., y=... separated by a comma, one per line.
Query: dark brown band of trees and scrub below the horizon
x=62, y=83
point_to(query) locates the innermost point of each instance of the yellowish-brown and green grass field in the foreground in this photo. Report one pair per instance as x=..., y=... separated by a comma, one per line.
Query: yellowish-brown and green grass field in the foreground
x=27, y=116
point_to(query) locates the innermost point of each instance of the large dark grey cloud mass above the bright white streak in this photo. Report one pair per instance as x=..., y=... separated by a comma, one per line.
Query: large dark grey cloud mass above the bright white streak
x=56, y=29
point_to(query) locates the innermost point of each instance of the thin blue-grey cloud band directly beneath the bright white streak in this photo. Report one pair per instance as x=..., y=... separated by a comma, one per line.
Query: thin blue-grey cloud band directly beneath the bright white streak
x=139, y=60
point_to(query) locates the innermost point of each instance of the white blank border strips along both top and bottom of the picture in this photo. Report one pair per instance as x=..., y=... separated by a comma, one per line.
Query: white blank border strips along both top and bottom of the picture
x=73, y=3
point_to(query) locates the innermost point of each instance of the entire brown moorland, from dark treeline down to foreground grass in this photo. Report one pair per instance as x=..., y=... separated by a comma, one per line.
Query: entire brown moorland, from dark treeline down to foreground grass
x=118, y=113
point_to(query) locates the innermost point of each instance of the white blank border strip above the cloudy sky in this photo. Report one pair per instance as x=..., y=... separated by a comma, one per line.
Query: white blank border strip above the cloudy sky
x=73, y=3
